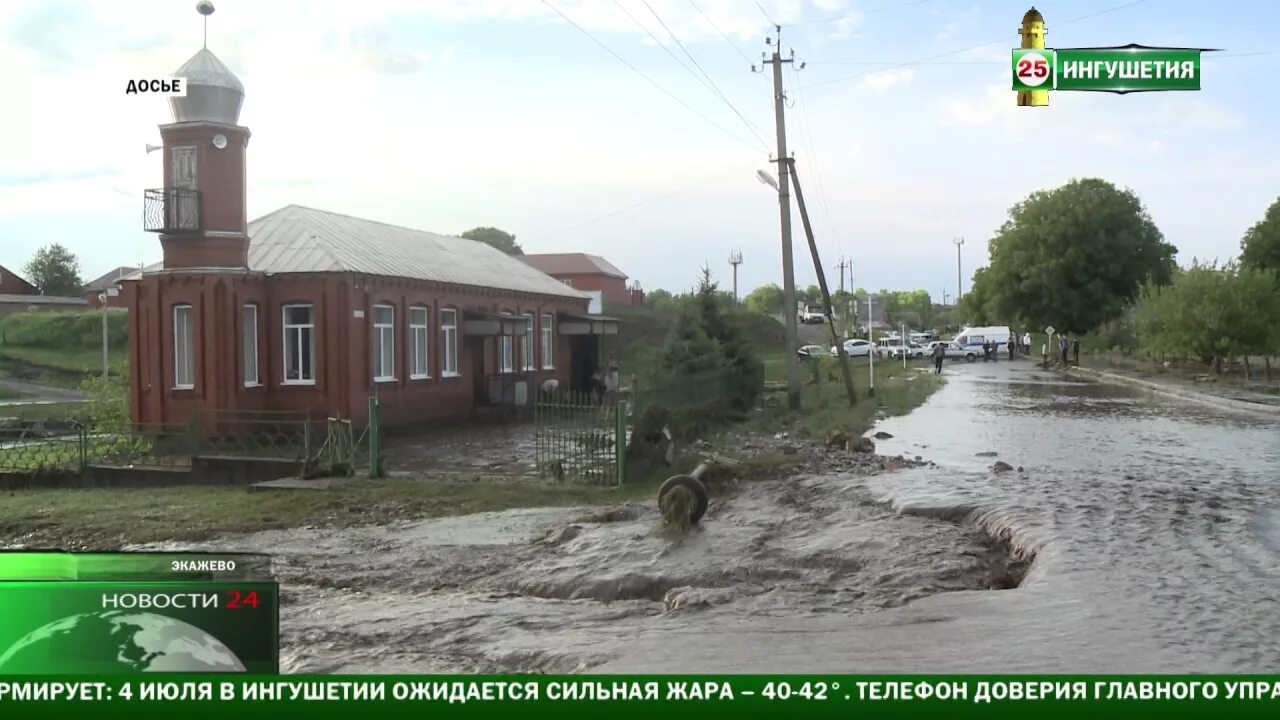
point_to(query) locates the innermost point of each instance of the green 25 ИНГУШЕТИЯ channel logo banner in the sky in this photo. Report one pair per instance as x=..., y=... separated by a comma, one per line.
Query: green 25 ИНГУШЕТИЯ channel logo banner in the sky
x=1123, y=70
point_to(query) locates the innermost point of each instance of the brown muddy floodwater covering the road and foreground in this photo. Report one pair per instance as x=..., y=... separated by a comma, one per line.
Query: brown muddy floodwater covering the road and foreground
x=1141, y=535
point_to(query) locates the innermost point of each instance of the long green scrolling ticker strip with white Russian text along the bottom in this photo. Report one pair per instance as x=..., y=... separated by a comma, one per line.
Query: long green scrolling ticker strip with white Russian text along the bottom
x=644, y=698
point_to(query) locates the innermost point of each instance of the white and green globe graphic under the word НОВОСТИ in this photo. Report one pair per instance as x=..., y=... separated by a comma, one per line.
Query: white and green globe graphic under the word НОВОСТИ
x=120, y=641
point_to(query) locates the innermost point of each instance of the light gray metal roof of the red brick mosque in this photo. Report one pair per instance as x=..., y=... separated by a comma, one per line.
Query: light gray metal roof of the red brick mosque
x=304, y=240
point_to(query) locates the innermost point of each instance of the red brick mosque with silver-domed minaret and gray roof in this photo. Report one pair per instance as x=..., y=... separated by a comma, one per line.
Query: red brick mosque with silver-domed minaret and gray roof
x=305, y=309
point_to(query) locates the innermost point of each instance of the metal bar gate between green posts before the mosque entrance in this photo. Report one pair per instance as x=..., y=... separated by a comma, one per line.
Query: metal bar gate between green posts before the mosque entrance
x=580, y=438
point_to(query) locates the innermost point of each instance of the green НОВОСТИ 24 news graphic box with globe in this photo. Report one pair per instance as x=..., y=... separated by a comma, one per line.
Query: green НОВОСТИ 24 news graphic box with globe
x=122, y=614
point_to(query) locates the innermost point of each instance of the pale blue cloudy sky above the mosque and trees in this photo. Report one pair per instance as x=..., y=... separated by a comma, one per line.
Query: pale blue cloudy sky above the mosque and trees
x=637, y=134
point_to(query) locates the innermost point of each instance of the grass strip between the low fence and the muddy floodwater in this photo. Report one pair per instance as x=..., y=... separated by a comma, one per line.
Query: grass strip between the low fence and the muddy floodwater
x=109, y=518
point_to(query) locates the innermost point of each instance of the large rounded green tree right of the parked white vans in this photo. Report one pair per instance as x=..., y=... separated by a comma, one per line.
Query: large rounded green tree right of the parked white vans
x=1075, y=258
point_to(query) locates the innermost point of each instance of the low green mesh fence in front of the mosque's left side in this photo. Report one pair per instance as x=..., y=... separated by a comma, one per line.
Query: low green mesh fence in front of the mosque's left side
x=330, y=446
